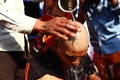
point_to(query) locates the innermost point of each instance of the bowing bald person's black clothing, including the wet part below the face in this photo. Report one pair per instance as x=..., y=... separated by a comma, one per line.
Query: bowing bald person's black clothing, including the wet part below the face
x=49, y=63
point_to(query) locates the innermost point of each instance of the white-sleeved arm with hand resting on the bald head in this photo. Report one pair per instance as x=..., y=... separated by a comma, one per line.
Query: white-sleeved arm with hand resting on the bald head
x=12, y=17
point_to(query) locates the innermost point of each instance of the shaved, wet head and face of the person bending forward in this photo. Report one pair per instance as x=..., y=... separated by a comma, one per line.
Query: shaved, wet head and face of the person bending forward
x=69, y=51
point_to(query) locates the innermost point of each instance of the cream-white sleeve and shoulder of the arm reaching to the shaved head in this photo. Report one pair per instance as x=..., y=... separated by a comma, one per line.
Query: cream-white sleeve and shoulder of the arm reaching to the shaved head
x=12, y=16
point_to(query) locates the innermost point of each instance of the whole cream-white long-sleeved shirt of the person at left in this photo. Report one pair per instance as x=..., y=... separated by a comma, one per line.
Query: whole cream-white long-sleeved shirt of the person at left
x=13, y=25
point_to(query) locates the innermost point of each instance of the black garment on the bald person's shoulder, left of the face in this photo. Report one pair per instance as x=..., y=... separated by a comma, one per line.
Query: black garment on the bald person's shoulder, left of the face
x=46, y=63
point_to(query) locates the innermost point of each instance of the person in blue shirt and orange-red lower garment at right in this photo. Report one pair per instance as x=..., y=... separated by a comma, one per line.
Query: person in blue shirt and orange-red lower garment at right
x=103, y=20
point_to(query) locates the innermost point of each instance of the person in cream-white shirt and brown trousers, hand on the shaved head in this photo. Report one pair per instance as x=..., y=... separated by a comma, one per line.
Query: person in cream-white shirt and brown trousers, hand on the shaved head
x=14, y=24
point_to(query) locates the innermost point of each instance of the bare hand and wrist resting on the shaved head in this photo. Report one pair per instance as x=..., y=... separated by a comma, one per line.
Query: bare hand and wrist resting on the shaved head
x=60, y=27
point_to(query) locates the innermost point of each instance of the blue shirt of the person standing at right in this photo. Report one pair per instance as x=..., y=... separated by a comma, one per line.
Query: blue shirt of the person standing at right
x=105, y=21
